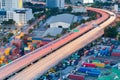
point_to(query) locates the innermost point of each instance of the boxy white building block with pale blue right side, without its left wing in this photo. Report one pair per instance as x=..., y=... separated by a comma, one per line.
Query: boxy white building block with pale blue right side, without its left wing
x=22, y=16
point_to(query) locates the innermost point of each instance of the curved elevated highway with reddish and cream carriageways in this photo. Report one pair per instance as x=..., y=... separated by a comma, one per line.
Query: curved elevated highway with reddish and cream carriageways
x=44, y=64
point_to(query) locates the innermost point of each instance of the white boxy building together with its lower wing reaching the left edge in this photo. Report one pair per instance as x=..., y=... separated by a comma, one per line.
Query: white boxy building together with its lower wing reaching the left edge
x=20, y=16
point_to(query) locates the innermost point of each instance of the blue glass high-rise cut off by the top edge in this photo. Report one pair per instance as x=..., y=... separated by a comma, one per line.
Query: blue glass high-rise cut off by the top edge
x=55, y=3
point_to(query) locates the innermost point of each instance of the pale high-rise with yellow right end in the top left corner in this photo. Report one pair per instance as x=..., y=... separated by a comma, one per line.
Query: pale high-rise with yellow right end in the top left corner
x=11, y=4
